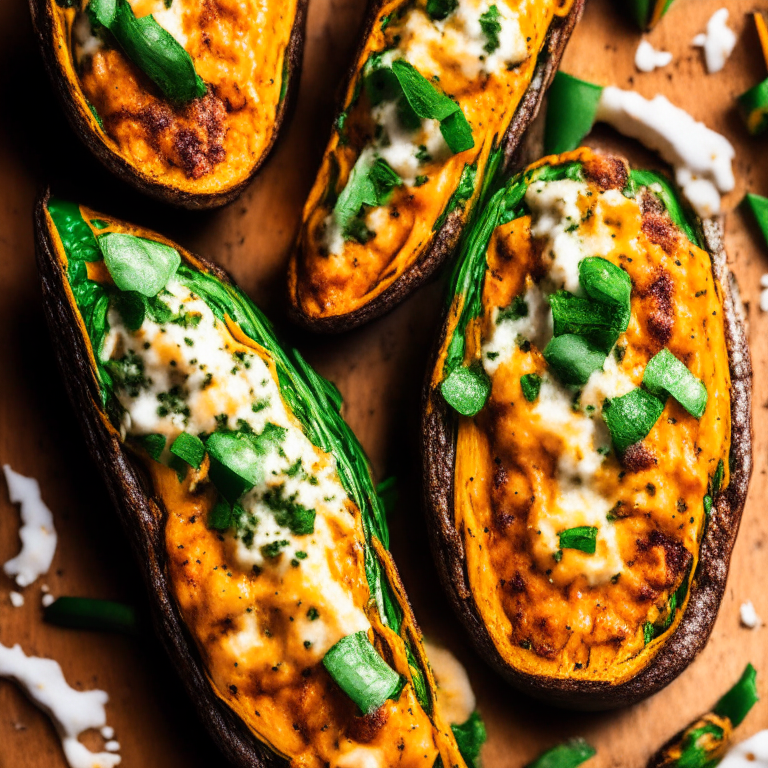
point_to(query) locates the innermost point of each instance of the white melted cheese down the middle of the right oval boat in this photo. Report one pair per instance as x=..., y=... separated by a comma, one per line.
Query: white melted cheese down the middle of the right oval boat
x=555, y=219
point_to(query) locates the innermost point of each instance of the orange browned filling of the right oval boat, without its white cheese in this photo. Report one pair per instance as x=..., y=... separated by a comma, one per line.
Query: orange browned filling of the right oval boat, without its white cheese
x=545, y=615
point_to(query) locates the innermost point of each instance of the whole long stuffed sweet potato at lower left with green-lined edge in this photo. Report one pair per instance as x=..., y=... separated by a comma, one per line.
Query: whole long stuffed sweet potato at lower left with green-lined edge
x=248, y=502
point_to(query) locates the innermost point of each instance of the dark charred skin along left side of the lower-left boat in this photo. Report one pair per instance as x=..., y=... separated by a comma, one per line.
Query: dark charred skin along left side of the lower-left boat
x=141, y=515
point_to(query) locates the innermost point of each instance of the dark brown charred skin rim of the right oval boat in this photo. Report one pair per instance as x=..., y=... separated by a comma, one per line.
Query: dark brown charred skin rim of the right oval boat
x=438, y=436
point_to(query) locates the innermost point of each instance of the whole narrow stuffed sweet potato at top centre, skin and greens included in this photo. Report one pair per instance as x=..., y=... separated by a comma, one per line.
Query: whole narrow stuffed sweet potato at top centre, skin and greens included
x=435, y=87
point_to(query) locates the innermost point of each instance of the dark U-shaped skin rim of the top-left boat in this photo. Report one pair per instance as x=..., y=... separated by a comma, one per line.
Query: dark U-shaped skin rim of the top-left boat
x=70, y=96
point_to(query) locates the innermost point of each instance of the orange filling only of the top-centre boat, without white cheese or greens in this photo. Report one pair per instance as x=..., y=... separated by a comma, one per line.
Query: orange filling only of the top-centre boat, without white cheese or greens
x=324, y=284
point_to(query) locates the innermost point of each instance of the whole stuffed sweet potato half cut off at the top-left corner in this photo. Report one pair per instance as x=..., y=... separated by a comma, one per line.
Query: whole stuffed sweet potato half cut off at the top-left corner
x=182, y=99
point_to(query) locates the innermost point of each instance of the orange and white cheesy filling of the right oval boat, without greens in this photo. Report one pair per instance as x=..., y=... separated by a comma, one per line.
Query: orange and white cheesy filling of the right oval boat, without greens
x=527, y=471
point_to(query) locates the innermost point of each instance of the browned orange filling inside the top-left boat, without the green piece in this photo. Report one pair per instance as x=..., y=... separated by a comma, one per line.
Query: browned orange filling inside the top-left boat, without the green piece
x=238, y=48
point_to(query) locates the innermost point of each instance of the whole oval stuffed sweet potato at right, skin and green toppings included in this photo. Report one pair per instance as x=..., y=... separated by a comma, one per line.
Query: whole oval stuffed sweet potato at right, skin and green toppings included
x=586, y=431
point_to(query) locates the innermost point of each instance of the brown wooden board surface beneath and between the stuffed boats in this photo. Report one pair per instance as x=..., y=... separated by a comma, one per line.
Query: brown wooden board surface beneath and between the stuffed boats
x=379, y=369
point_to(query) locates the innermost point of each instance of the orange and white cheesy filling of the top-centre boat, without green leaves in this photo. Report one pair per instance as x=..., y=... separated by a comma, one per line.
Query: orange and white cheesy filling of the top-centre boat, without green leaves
x=330, y=275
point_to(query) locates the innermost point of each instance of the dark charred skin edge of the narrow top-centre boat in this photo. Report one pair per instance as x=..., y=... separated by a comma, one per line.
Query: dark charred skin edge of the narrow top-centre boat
x=447, y=238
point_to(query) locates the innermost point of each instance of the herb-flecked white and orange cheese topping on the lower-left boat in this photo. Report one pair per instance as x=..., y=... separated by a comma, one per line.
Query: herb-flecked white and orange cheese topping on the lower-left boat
x=263, y=603
